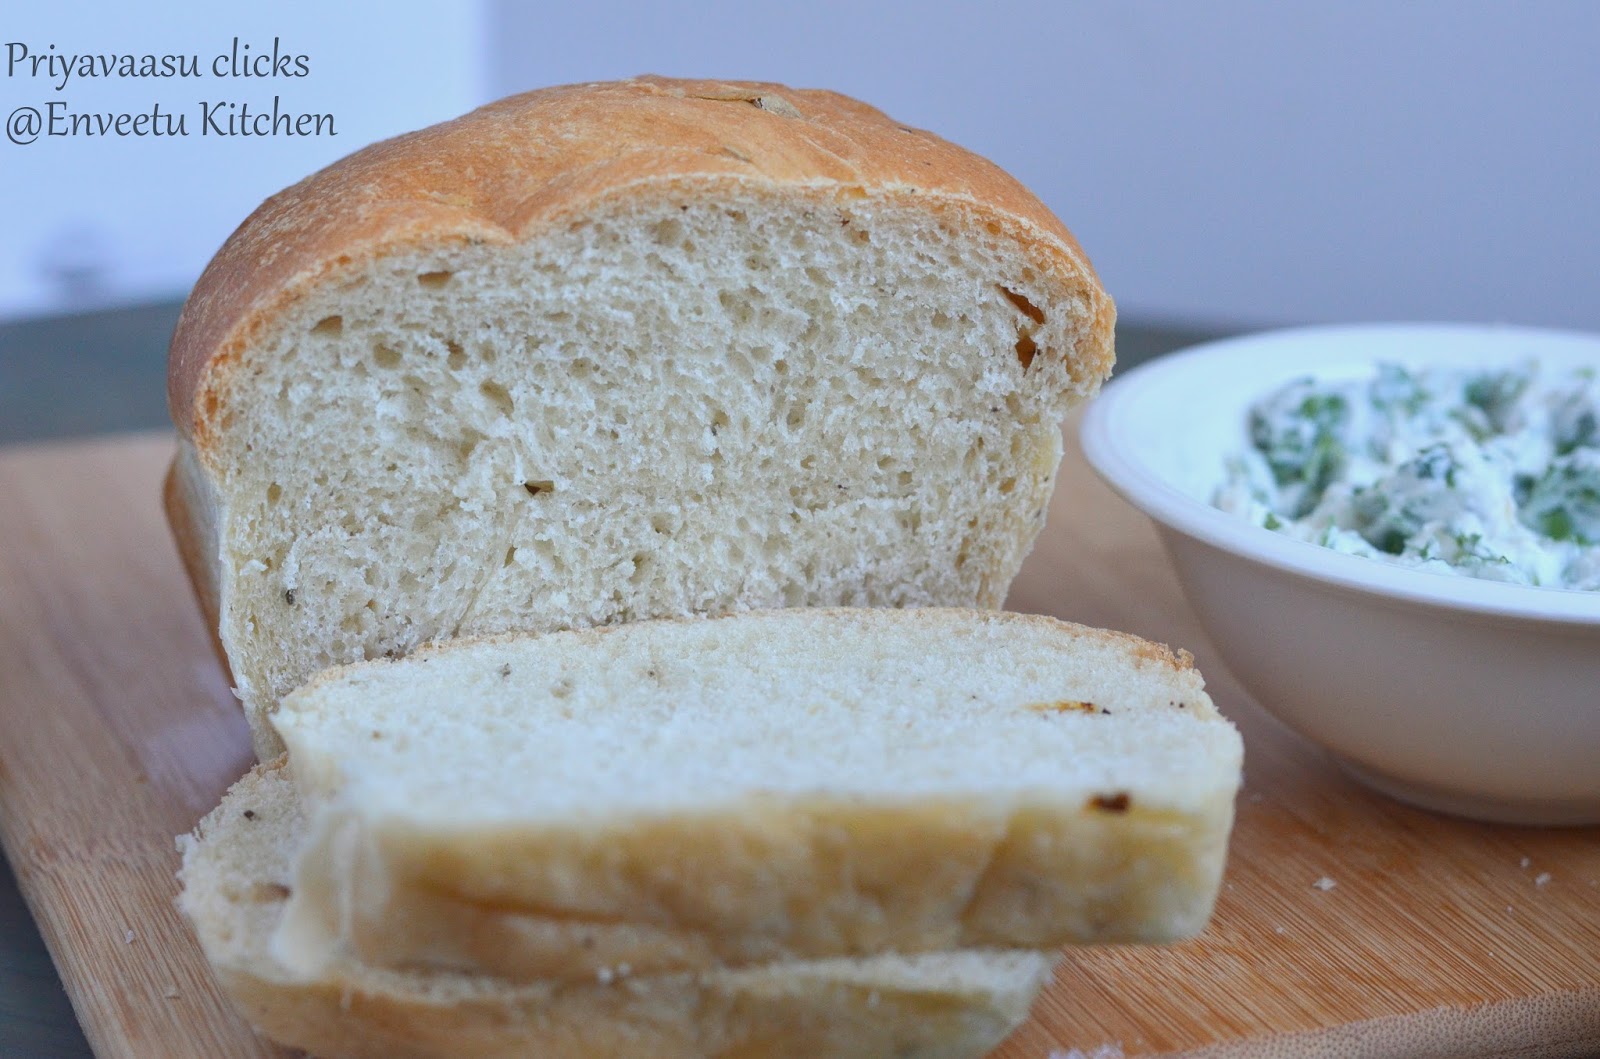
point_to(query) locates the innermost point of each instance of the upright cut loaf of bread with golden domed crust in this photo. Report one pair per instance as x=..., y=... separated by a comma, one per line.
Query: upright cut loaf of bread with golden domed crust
x=622, y=351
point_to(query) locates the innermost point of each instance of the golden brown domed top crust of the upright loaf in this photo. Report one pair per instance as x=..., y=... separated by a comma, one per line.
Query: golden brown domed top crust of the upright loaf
x=506, y=170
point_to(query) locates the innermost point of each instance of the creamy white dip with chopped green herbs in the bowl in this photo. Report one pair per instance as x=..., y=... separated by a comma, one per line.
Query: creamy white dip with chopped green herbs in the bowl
x=1484, y=473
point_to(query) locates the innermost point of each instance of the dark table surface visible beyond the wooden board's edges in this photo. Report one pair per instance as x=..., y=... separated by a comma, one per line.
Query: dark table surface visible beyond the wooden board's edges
x=103, y=374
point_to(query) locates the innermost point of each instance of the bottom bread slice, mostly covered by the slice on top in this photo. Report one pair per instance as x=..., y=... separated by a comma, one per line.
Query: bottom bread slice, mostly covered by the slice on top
x=236, y=876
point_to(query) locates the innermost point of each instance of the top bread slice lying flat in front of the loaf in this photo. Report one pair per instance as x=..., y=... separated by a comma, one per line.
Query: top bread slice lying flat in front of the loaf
x=769, y=786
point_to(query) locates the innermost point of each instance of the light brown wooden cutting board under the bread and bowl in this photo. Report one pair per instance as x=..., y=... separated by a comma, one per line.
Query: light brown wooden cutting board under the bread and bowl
x=118, y=730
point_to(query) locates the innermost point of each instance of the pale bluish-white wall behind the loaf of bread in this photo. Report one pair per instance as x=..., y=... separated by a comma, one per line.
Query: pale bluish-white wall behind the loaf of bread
x=1238, y=162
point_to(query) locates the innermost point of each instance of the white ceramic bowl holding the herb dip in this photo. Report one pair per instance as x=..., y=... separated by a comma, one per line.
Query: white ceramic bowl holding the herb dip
x=1460, y=695
